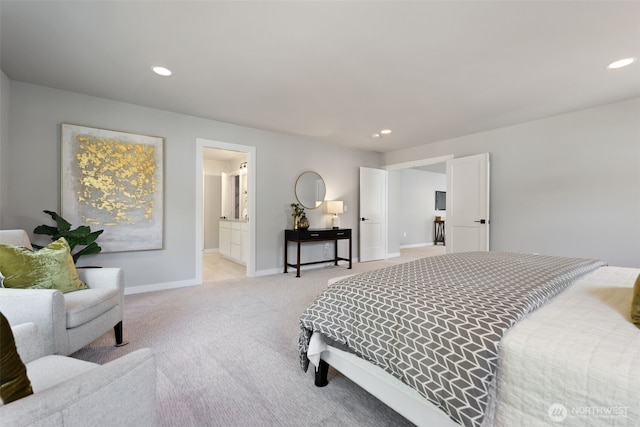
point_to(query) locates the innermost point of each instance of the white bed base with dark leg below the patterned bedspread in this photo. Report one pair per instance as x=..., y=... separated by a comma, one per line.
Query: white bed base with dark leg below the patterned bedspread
x=391, y=391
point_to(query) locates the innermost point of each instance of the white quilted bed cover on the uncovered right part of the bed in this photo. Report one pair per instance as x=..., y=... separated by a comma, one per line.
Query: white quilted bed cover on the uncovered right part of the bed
x=575, y=361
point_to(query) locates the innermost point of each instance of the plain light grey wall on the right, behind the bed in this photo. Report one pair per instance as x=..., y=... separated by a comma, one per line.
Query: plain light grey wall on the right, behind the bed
x=567, y=185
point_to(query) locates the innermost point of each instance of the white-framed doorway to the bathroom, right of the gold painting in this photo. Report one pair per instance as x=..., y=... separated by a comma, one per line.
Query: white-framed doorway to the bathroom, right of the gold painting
x=210, y=263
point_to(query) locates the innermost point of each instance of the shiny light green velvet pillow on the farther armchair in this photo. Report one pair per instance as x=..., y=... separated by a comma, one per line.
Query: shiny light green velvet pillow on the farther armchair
x=48, y=268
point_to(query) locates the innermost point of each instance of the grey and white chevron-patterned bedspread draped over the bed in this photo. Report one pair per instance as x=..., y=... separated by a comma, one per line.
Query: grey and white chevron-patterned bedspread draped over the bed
x=436, y=323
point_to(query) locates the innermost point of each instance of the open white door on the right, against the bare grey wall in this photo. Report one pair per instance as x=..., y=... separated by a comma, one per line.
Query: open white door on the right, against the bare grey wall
x=467, y=220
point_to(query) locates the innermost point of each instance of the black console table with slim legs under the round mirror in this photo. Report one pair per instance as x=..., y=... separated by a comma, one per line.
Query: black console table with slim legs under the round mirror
x=315, y=235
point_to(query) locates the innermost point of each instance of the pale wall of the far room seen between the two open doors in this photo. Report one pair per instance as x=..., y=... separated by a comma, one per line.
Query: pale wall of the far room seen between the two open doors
x=412, y=207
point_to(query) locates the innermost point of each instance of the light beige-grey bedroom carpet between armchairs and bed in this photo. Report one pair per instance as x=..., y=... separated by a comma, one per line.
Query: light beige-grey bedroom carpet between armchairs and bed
x=227, y=354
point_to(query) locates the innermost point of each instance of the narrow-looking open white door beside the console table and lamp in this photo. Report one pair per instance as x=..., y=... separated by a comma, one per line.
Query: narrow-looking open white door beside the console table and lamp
x=373, y=214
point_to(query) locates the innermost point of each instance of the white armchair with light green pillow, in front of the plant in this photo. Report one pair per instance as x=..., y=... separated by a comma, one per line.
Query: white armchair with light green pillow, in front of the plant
x=68, y=321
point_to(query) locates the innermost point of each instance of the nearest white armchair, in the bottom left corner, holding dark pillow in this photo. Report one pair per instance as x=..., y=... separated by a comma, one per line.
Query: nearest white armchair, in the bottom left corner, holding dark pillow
x=73, y=393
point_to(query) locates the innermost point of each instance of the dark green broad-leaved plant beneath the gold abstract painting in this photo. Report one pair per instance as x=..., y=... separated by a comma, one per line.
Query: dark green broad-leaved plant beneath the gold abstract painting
x=81, y=236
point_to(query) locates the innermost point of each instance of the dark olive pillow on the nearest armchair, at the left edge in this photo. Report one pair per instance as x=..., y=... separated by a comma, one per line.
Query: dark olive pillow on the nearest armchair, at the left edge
x=14, y=383
